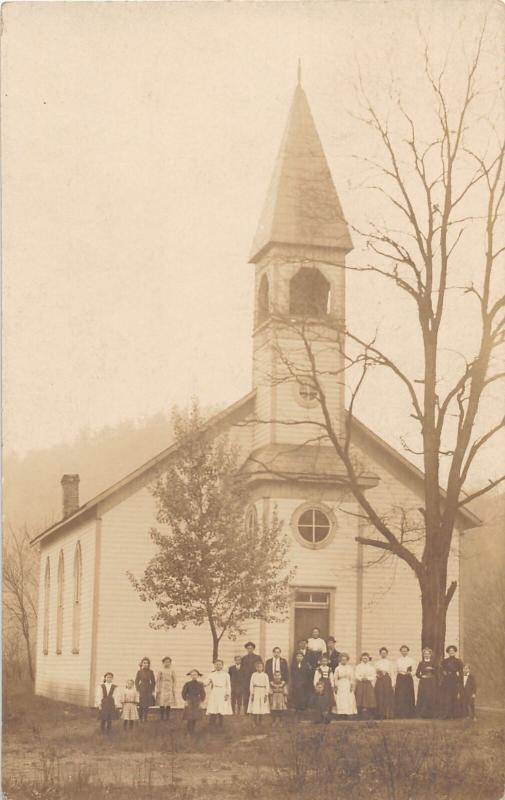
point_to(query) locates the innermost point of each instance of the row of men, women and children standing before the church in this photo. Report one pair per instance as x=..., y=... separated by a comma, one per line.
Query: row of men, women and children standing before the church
x=320, y=679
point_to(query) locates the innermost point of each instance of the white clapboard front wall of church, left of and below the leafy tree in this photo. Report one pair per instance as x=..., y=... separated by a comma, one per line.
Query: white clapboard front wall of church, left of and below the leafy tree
x=124, y=634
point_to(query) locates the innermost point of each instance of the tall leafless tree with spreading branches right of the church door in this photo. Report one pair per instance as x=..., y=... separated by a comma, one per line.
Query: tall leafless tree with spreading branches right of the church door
x=440, y=188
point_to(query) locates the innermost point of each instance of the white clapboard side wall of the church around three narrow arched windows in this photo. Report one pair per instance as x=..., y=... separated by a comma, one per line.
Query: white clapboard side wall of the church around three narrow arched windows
x=65, y=676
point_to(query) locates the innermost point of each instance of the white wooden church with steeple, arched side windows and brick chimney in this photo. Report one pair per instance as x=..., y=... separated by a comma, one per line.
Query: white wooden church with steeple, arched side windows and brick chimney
x=90, y=617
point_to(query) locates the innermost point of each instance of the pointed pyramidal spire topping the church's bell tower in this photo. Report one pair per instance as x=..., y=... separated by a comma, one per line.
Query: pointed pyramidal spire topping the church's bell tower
x=302, y=206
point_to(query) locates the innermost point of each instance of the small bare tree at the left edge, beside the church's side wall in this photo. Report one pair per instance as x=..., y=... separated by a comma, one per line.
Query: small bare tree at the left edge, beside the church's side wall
x=20, y=579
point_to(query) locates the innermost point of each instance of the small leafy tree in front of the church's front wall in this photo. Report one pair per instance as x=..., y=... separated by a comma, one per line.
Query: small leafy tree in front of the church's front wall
x=210, y=567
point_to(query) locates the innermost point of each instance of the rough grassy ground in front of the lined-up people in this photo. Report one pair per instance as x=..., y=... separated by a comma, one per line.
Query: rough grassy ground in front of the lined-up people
x=54, y=751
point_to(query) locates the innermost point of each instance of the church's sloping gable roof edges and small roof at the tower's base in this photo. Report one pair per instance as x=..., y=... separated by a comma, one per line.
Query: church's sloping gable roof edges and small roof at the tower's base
x=312, y=461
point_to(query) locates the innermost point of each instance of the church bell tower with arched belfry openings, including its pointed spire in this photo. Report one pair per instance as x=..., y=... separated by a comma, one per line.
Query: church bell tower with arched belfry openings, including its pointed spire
x=299, y=255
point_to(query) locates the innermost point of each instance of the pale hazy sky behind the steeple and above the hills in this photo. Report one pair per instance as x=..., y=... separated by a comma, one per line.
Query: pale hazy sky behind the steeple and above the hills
x=138, y=143
